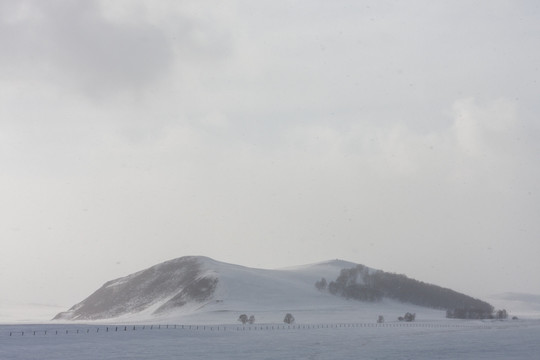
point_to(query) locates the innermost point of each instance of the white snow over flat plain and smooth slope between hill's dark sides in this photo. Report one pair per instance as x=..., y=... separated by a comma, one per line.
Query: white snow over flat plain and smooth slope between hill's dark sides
x=327, y=327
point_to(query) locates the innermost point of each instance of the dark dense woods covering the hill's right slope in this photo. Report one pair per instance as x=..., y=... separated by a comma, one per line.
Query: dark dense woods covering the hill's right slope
x=361, y=283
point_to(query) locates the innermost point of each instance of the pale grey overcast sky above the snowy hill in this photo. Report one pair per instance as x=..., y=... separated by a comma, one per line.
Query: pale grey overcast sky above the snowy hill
x=401, y=135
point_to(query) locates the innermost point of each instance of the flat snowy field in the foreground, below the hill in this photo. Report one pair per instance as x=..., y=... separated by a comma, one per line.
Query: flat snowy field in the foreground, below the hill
x=422, y=340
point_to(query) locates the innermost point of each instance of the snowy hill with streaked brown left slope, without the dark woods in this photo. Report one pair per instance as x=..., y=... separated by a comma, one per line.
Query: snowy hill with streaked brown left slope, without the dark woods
x=196, y=284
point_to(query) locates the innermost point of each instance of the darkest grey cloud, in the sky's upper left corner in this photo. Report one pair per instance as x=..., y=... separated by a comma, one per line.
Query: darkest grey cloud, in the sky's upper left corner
x=73, y=45
